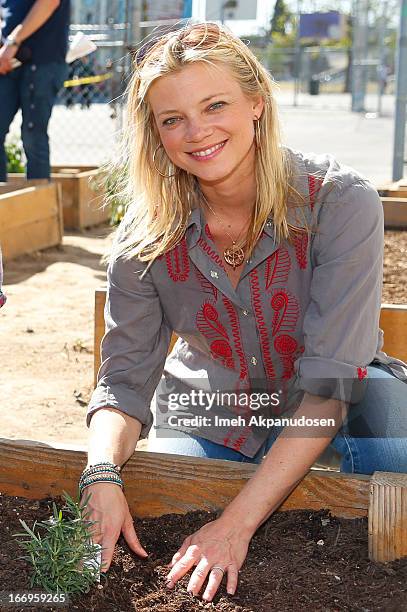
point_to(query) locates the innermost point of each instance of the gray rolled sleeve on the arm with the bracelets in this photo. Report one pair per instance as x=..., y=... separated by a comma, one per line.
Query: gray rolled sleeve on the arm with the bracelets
x=134, y=346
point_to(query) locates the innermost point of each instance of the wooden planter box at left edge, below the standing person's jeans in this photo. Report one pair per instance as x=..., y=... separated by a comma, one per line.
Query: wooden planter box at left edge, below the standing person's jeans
x=30, y=219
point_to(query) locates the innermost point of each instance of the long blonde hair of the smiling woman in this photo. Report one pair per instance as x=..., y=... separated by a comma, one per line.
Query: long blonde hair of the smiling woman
x=158, y=208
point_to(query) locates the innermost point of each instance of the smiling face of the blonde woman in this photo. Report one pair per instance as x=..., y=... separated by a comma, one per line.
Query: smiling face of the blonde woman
x=205, y=122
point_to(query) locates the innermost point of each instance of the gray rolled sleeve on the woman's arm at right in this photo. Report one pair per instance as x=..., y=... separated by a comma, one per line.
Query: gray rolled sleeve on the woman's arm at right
x=342, y=319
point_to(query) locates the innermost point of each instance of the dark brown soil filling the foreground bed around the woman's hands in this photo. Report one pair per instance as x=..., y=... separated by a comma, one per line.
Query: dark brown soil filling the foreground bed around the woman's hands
x=298, y=560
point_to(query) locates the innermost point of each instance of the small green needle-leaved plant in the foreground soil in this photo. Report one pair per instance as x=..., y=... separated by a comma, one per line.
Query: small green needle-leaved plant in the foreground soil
x=61, y=551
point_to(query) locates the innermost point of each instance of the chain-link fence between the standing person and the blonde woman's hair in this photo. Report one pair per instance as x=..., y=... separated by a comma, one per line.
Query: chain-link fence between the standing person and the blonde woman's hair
x=87, y=116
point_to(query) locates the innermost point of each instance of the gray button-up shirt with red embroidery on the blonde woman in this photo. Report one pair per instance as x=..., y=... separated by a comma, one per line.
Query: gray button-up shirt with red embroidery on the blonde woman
x=303, y=317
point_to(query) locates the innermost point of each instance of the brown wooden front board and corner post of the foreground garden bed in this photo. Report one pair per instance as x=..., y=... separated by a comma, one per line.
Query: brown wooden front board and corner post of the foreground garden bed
x=158, y=484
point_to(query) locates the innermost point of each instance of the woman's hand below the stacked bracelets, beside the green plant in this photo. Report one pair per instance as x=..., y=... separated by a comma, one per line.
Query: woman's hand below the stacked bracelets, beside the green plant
x=108, y=506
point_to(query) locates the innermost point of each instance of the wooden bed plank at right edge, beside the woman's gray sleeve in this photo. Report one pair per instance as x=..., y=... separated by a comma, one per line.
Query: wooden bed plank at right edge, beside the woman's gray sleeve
x=393, y=321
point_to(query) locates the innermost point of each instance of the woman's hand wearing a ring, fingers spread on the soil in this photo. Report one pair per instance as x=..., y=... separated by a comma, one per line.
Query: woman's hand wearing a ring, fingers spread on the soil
x=217, y=550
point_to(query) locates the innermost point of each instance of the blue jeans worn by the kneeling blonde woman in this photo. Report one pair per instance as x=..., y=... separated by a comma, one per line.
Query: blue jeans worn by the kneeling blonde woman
x=372, y=438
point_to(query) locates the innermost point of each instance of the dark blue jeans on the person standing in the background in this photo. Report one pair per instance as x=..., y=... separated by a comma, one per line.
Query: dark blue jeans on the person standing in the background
x=33, y=88
